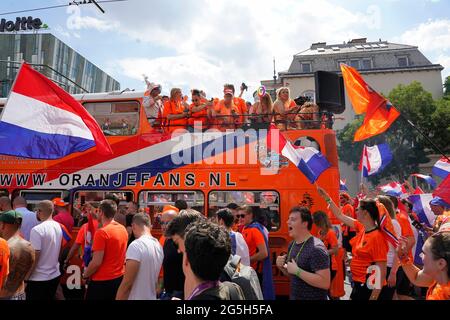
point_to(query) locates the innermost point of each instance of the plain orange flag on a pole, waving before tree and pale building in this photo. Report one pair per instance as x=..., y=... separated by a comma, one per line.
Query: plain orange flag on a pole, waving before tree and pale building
x=380, y=113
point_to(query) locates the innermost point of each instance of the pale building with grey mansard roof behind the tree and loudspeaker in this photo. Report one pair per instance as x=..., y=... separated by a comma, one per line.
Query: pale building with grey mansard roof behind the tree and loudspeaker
x=383, y=65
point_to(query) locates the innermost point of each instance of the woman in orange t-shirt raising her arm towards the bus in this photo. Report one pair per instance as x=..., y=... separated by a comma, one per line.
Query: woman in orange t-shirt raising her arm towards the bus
x=369, y=248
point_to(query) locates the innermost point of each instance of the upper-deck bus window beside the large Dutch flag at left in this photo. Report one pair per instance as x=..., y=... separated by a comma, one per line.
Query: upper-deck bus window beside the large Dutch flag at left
x=115, y=118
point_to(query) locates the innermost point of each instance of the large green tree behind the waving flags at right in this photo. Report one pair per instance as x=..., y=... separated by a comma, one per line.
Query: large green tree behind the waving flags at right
x=408, y=147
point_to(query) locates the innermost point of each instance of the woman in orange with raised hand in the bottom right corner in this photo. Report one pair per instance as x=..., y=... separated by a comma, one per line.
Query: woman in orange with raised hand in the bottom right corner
x=436, y=260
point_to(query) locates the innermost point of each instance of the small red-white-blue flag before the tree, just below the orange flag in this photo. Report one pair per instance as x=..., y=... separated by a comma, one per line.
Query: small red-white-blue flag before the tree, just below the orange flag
x=375, y=159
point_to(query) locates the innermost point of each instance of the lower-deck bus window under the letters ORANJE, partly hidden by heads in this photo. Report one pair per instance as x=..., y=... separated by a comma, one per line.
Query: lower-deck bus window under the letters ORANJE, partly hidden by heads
x=95, y=197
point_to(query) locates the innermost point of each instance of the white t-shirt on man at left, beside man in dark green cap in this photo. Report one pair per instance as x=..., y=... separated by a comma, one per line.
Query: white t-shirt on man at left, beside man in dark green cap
x=46, y=237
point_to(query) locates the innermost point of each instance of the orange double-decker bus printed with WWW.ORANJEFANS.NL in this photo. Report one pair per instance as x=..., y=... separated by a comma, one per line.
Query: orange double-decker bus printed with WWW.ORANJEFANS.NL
x=206, y=169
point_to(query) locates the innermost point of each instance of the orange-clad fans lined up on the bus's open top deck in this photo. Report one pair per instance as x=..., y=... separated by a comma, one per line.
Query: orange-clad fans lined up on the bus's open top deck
x=169, y=113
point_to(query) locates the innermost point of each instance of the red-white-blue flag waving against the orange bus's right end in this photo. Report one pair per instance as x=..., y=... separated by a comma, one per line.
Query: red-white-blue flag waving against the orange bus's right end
x=307, y=159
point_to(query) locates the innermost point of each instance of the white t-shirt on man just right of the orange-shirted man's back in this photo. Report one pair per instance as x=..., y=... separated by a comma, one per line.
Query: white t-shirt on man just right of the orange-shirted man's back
x=149, y=253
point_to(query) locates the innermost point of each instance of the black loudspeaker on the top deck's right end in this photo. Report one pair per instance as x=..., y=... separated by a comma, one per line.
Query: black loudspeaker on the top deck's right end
x=330, y=95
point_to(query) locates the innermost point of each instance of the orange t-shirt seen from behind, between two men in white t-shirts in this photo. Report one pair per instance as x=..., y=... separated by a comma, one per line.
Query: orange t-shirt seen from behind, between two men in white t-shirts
x=112, y=240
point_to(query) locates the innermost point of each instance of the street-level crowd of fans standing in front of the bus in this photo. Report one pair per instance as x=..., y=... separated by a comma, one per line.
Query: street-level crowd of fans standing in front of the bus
x=224, y=256
